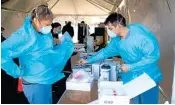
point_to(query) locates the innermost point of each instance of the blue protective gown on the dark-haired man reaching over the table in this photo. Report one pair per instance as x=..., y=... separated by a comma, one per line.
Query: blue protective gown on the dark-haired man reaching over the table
x=139, y=50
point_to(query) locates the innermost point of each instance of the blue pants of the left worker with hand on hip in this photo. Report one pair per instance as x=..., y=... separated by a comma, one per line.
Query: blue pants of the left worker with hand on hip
x=38, y=93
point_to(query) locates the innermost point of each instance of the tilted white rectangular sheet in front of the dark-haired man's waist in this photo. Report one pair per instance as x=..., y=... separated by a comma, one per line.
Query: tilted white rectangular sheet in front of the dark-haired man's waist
x=139, y=85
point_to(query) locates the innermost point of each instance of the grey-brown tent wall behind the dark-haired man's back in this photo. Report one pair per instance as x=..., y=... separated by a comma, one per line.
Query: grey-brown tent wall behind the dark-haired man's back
x=159, y=16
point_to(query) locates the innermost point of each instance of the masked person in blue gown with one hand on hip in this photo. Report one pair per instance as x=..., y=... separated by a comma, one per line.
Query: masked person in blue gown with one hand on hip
x=40, y=63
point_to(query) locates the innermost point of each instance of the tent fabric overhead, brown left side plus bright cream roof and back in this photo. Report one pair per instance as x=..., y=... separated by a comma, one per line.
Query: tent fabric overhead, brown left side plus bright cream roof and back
x=15, y=11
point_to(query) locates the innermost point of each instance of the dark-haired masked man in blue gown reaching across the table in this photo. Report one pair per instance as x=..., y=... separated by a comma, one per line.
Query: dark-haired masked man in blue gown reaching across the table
x=139, y=50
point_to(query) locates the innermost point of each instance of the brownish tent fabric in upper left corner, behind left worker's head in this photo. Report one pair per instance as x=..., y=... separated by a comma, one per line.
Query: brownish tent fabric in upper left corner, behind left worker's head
x=13, y=13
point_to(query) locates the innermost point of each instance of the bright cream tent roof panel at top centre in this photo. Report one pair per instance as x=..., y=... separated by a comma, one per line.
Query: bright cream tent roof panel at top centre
x=77, y=7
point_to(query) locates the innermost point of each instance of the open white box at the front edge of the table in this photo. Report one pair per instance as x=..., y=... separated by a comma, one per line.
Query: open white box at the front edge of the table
x=111, y=92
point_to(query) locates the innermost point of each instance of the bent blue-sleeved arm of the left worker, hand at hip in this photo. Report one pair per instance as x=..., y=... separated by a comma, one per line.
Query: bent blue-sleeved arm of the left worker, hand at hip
x=11, y=48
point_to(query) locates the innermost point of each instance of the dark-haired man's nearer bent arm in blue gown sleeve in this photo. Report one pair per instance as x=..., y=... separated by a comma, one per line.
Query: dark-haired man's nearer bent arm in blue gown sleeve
x=151, y=54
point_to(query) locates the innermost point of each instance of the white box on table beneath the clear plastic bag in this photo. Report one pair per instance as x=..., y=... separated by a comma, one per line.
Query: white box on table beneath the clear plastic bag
x=81, y=86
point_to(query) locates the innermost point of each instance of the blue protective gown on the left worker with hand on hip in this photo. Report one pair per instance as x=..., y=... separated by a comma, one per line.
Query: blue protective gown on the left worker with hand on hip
x=40, y=62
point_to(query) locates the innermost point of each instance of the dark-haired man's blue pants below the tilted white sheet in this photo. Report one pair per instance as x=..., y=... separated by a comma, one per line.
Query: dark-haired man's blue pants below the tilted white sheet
x=149, y=97
